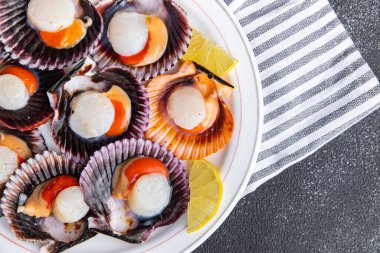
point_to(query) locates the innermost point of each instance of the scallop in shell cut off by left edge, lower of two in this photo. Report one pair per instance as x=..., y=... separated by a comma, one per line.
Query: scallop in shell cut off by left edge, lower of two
x=22, y=145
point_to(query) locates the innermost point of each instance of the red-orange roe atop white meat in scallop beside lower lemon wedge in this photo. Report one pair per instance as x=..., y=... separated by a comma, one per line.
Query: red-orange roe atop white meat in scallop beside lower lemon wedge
x=143, y=166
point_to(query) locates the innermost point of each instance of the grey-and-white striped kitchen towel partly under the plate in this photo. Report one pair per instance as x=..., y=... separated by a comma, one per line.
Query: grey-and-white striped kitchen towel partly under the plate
x=315, y=82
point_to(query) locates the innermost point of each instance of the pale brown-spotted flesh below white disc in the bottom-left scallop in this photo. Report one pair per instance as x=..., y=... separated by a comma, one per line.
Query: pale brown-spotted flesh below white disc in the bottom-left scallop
x=63, y=232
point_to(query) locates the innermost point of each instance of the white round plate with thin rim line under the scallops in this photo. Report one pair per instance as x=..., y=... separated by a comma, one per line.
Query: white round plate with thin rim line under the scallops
x=236, y=161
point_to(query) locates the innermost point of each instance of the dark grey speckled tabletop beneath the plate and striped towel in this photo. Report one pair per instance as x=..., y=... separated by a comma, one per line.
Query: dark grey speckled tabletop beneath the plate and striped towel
x=330, y=202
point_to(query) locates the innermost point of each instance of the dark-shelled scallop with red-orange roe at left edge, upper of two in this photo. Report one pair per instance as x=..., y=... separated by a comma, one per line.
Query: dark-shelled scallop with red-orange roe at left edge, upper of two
x=24, y=104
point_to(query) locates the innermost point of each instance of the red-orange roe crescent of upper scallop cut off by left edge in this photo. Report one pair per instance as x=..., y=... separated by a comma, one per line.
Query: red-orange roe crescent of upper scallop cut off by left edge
x=29, y=79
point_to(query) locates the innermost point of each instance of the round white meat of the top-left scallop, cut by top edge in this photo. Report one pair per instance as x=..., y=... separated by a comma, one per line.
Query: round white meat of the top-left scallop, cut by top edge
x=51, y=15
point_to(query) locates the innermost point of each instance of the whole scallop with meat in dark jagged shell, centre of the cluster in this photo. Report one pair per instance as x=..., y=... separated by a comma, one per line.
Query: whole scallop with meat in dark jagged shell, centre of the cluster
x=85, y=111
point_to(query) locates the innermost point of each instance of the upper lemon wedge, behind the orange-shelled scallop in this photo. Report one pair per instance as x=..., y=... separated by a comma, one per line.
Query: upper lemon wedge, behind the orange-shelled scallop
x=211, y=56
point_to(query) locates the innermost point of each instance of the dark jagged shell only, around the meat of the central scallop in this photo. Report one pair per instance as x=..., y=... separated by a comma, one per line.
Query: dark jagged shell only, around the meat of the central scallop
x=77, y=148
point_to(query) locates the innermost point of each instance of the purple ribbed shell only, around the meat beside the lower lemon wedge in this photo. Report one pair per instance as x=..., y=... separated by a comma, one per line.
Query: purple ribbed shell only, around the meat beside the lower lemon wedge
x=97, y=180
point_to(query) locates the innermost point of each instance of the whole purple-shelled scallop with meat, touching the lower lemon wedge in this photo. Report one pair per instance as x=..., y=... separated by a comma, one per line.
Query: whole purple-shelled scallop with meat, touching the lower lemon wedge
x=157, y=193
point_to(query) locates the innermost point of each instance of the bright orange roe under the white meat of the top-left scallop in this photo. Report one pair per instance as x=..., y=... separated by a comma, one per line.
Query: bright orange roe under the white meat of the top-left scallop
x=65, y=38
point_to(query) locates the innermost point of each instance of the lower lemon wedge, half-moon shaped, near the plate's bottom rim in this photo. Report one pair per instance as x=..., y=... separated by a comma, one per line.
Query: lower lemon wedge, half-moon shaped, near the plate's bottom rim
x=206, y=191
